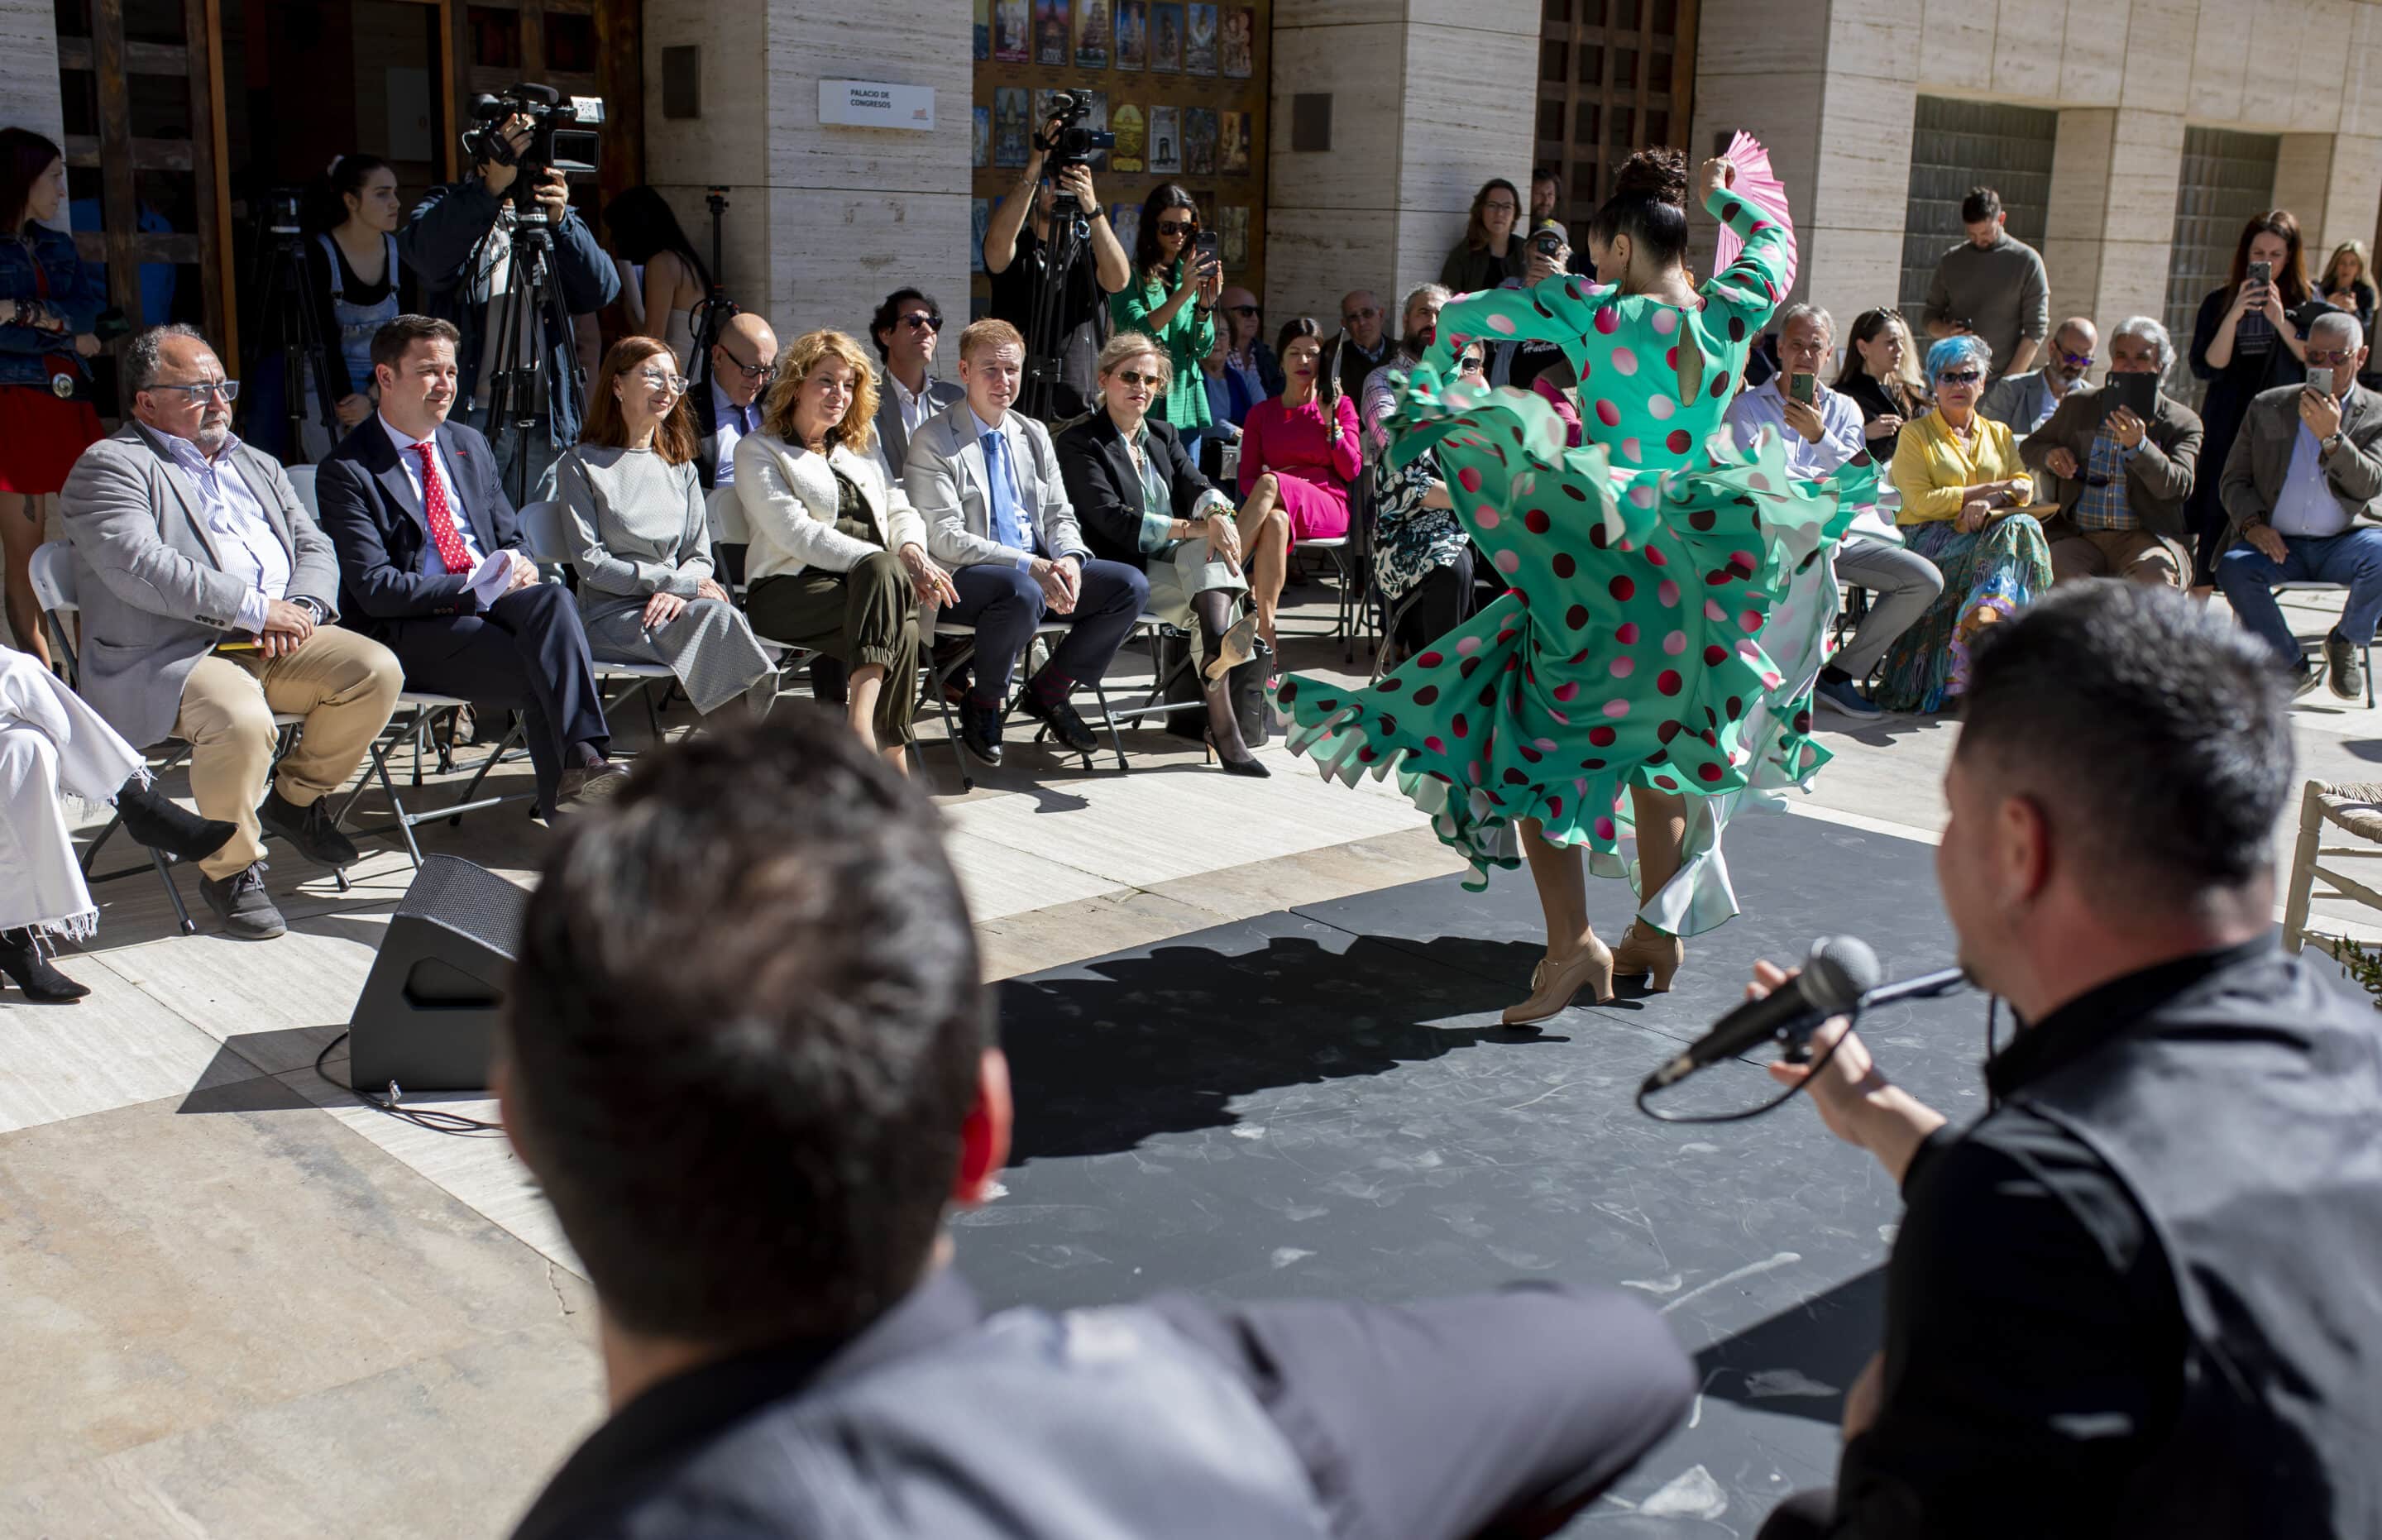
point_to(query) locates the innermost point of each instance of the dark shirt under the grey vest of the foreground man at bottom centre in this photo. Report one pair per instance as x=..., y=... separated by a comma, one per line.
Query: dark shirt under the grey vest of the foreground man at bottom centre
x=1457, y=1417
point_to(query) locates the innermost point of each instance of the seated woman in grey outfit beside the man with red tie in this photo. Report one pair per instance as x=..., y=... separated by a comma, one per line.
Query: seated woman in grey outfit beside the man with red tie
x=640, y=537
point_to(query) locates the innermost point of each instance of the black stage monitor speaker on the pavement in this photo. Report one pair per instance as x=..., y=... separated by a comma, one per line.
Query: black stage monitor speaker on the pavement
x=428, y=1015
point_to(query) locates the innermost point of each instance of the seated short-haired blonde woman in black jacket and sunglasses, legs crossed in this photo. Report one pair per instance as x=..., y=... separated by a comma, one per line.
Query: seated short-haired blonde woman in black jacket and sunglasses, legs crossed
x=1145, y=503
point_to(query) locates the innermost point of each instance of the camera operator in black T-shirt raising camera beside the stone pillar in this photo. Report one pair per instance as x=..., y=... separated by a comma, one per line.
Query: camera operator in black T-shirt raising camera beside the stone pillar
x=1018, y=258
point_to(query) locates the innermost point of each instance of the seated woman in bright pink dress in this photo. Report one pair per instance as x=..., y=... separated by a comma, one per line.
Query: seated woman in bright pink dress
x=1299, y=453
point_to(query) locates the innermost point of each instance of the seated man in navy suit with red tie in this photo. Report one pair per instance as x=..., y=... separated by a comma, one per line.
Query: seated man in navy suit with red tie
x=430, y=565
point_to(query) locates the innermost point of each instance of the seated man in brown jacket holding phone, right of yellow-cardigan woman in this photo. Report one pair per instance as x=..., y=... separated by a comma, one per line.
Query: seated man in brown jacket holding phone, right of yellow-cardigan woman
x=2124, y=482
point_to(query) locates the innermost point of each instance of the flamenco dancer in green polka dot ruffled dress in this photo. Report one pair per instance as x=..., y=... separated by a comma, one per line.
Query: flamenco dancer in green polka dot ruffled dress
x=1669, y=591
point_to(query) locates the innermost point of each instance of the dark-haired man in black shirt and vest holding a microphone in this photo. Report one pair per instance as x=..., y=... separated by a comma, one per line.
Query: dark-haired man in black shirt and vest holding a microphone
x=2135, y=1301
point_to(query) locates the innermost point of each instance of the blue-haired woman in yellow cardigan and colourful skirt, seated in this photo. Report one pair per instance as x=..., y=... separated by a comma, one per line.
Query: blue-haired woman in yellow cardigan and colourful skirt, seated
x=1962, y=484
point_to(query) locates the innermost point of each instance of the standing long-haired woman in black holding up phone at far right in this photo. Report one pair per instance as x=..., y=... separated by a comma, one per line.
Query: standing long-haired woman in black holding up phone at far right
x=2250, y=339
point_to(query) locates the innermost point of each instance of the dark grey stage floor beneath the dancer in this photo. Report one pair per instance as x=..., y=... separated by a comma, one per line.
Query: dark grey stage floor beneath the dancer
x=1323, y=1103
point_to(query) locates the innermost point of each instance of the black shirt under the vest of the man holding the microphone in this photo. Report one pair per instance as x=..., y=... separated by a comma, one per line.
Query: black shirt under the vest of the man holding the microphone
x=2035, y=1344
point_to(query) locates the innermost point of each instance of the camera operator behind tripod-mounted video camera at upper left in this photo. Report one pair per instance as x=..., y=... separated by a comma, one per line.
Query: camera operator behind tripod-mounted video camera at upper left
x=459, y=242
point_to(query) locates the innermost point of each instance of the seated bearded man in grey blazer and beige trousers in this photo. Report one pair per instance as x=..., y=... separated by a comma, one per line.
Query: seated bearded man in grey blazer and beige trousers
x=208, y=601
